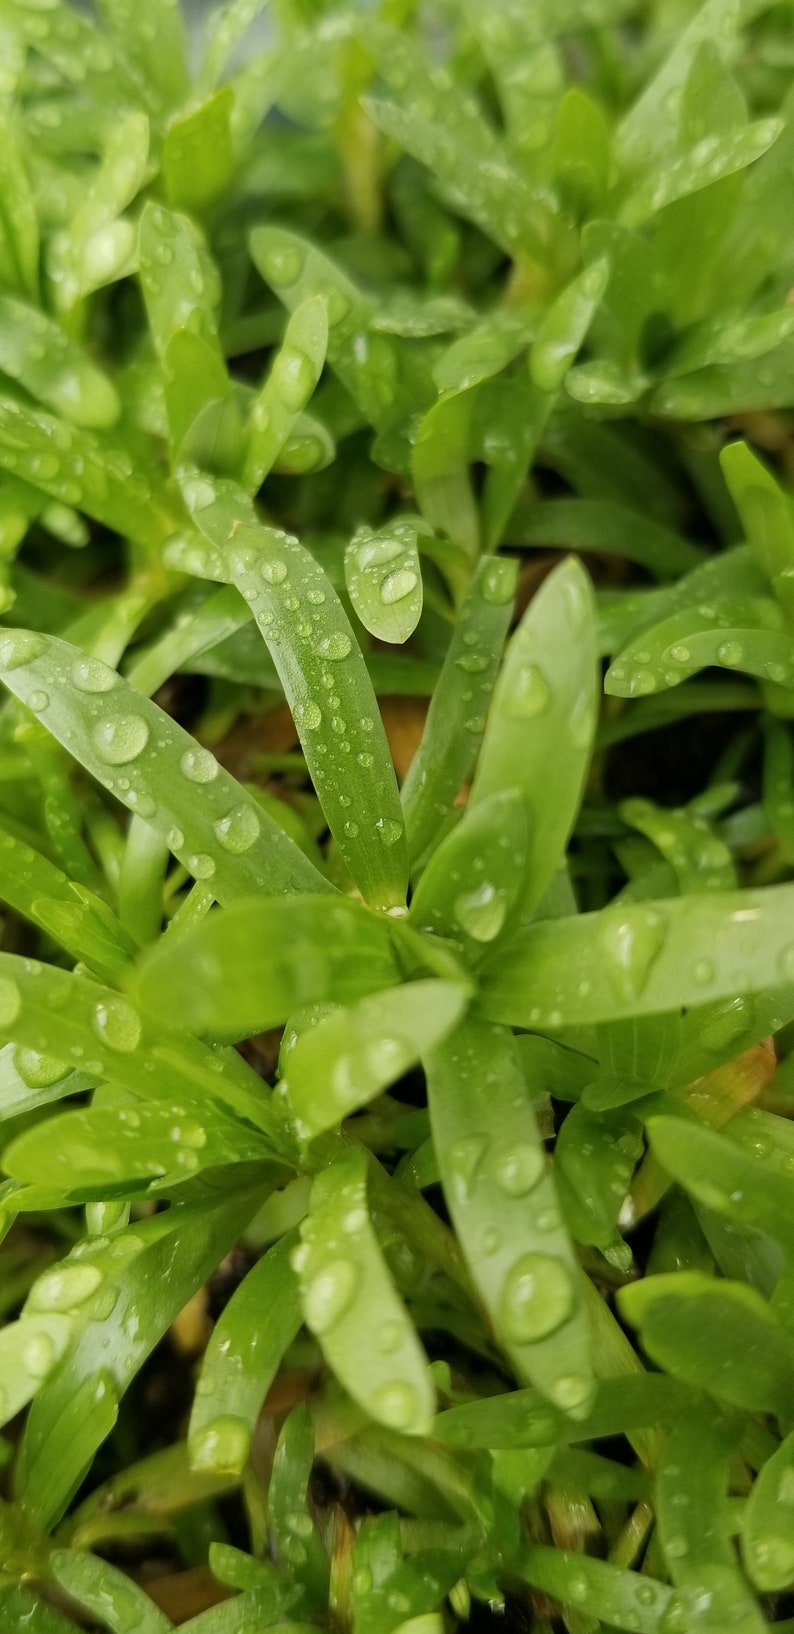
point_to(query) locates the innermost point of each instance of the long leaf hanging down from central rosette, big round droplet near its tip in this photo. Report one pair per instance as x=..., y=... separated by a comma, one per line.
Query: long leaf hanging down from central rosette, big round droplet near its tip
x=502, y=1199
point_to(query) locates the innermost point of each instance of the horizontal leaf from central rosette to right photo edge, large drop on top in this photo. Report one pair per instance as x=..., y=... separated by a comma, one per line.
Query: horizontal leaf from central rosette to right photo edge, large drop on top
x=641, y=960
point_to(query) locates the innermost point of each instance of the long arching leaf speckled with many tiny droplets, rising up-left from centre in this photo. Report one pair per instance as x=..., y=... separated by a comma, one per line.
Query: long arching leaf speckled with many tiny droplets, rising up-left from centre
x=326, y=684
